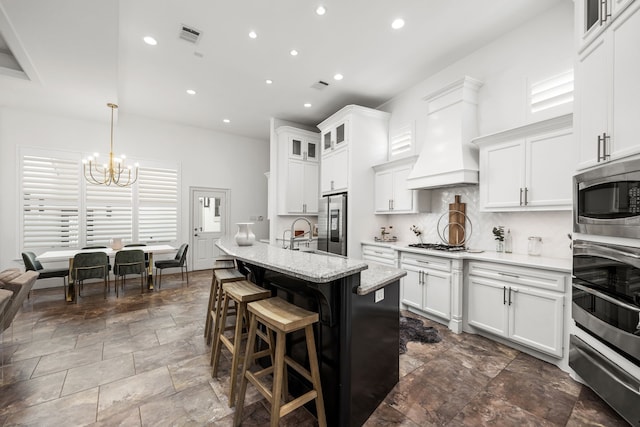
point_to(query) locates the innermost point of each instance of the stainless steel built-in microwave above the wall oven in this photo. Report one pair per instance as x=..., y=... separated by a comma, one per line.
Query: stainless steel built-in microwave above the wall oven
x=607, y=200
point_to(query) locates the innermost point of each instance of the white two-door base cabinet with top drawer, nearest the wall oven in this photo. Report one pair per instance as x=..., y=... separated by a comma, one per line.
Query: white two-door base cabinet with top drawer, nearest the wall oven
x=524, y=305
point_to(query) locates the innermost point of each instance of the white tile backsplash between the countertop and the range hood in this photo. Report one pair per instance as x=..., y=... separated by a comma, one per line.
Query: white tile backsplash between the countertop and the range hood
x=553, y=227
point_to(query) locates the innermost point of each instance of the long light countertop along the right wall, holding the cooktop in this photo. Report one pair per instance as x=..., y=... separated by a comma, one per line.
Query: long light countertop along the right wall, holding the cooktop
x=563, y=265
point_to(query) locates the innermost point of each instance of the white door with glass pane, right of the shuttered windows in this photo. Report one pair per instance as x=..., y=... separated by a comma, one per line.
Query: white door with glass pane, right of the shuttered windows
x=209, y=217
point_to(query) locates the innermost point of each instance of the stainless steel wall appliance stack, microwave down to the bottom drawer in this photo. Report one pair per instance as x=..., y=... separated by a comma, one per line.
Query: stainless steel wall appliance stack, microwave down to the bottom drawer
x=605, y=349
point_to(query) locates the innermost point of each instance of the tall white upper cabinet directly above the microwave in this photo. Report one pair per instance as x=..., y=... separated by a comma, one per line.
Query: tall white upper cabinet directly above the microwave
x=607, y=89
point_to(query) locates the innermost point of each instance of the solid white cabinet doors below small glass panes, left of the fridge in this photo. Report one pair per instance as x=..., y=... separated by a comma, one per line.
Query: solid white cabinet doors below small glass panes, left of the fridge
x=302, y=187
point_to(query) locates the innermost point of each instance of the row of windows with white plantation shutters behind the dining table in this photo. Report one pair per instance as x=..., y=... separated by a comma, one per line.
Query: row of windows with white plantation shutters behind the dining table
x=61, y=210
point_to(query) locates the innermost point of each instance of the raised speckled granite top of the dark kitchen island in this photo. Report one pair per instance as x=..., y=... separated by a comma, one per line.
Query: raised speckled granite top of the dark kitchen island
x=311, y=267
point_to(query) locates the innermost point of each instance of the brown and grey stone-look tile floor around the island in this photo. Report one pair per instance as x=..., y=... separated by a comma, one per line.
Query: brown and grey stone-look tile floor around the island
x=142, y=360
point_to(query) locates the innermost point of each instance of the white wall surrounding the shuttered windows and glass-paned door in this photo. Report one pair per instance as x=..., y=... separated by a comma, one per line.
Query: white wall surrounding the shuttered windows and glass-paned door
x=206, y=159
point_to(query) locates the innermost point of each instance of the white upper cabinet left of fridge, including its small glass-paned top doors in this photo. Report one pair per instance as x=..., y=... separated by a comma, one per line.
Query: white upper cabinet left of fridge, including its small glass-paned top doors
x=298, y=171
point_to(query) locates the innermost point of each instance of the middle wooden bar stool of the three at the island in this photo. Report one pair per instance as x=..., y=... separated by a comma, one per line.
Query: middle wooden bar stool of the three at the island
x=242, y=293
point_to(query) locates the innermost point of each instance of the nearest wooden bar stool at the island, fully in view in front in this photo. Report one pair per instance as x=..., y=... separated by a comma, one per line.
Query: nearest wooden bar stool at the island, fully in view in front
x=281, y=317
